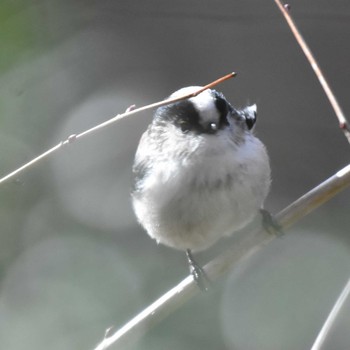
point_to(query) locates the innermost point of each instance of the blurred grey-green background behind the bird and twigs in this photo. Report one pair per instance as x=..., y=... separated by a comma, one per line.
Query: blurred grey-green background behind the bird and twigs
x=73, y=259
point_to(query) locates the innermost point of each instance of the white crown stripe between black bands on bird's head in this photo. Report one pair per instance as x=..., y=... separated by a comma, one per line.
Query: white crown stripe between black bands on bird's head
x=204, y=103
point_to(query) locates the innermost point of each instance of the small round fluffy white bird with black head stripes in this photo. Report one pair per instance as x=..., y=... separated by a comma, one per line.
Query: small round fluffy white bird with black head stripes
x=200, y=173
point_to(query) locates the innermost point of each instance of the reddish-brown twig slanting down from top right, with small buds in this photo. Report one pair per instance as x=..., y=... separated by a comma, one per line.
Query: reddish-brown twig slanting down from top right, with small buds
x=343, y=123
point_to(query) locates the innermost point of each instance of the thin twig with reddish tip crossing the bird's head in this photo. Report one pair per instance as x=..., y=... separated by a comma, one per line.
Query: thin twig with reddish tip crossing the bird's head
x=129, y=111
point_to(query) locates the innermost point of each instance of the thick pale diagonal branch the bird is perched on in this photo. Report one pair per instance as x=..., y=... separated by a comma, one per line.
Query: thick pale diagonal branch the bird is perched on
x=186, y=289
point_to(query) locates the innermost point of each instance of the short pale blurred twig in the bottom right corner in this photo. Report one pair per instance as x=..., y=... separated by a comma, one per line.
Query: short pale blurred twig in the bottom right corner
x=327, y=326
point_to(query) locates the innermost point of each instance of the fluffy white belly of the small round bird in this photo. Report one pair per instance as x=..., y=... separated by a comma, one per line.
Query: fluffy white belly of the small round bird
x=190, y=206
